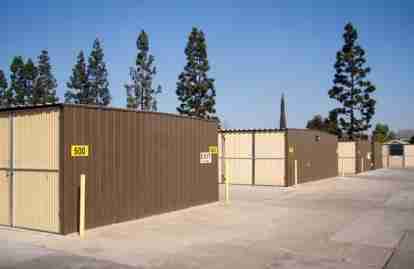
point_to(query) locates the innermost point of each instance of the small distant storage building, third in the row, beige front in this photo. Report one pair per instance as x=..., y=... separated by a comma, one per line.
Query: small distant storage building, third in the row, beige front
x=355, y=157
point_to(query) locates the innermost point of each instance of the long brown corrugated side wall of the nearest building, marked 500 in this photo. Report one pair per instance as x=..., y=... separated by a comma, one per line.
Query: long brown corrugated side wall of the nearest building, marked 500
x=140, y=164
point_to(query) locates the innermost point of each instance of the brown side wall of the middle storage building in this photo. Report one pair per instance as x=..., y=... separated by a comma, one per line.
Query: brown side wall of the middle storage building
x=316, y=159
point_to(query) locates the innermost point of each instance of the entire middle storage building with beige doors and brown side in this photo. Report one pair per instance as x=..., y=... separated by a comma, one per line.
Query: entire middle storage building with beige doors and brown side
x=276, y=157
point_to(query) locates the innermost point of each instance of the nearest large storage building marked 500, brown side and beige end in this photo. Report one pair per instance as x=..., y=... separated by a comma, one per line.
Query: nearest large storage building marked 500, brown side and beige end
x=136, y=164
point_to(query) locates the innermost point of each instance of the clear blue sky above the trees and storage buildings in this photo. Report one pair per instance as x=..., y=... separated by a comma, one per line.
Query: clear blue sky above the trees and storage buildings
x=257, y=49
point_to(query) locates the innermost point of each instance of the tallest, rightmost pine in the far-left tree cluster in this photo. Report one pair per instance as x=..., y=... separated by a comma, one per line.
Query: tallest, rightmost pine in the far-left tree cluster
x=45, y=88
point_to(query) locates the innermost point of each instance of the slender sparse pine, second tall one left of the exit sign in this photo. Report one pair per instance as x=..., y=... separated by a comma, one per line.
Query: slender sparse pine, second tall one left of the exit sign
x=140, y=92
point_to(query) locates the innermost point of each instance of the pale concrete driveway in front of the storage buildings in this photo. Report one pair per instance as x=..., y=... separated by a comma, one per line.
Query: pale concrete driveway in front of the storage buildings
x=353, y=222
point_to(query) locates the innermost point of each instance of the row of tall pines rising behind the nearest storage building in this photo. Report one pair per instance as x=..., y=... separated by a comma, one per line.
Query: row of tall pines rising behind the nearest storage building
x=32, y=84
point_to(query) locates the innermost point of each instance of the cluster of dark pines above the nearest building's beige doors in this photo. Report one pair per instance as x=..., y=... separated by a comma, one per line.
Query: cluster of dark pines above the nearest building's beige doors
x=30, y=83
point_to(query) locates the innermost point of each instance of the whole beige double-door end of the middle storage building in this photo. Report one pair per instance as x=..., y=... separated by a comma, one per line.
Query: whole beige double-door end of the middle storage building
x=252, y=157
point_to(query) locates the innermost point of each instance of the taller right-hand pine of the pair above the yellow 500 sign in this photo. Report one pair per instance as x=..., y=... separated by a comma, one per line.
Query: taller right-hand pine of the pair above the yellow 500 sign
x=78, y=92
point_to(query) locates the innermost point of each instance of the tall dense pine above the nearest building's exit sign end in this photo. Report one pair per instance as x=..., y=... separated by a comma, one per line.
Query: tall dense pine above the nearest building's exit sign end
x=195, y=90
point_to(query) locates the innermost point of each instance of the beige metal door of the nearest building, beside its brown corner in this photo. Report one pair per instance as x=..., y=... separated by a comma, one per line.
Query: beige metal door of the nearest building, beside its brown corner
x=36, y=176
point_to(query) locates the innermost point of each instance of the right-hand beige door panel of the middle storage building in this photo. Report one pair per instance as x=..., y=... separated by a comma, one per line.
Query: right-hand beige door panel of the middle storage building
x=270, y=158
